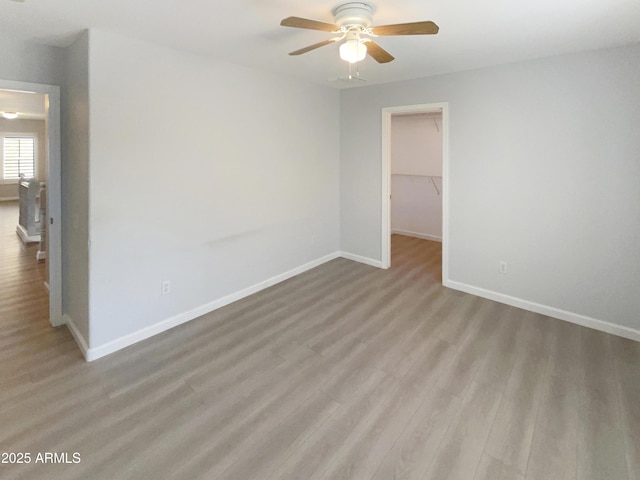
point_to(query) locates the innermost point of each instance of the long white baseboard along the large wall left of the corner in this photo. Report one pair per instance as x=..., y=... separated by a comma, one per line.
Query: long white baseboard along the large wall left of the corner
x=93, y=353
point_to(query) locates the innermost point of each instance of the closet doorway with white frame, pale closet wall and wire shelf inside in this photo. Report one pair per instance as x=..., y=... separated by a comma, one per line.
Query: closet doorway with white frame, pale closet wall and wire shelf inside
x=415, y=176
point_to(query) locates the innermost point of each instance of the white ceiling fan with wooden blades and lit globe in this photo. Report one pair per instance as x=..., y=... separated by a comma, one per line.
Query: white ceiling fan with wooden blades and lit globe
x=353, y=25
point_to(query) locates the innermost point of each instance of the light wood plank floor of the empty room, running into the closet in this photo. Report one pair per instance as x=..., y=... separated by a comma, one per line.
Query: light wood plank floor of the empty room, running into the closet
x=344, y=372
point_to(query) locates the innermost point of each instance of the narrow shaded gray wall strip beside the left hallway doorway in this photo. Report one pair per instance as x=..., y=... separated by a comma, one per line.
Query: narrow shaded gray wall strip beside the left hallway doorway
x=75, y=185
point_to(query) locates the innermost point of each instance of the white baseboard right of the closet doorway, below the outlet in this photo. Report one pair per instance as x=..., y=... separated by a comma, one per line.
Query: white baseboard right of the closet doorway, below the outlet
x=560, y=314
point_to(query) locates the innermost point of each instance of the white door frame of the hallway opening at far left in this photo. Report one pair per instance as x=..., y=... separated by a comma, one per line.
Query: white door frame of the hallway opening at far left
x=54, y=189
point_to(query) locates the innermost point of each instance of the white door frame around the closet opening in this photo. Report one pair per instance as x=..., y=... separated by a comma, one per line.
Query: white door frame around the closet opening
x=386, y=179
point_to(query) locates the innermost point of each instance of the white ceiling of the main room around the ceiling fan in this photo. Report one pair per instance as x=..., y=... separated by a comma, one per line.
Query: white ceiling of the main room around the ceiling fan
x=472, y=34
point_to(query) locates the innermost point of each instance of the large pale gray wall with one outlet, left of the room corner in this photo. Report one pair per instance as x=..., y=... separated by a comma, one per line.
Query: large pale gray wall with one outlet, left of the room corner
x=213, y=176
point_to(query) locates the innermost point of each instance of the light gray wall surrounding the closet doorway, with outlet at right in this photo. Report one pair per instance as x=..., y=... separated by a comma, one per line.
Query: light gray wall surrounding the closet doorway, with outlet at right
x=543, y=174
